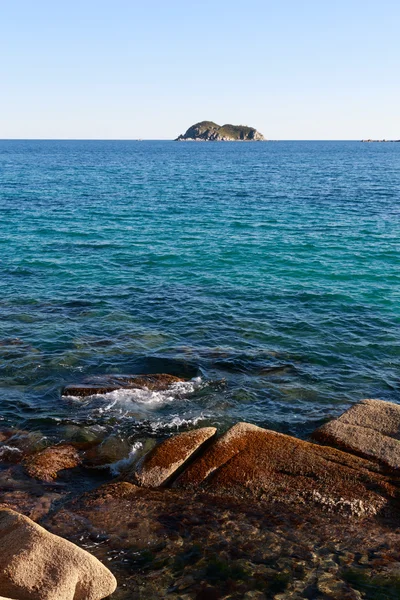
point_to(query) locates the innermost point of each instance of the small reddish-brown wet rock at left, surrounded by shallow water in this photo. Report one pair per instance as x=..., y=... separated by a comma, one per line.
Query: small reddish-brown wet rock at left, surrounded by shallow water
x=45, y=465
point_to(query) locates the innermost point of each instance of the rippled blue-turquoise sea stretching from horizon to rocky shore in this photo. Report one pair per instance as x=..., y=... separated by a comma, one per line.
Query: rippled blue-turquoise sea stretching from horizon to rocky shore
x=268, y=274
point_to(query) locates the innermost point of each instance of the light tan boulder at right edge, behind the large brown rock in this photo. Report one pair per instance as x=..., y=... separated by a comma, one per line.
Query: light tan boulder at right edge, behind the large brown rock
x=370, y=428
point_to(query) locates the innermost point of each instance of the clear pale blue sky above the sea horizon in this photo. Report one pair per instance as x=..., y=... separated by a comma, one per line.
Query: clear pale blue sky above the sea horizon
x=128, y=69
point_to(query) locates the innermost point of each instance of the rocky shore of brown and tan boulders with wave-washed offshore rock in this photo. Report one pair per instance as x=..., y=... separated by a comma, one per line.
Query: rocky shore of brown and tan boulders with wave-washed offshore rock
x=246, y=513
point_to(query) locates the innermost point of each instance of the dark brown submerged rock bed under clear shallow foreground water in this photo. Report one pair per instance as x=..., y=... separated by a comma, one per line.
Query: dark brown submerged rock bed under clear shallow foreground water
x=187, y=544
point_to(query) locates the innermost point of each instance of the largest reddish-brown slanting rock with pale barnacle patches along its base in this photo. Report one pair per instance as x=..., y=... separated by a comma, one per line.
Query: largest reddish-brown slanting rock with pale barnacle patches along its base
x=248, y=461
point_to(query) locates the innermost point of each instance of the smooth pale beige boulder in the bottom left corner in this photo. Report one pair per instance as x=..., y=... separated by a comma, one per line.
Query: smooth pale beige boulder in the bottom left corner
x=38, y=565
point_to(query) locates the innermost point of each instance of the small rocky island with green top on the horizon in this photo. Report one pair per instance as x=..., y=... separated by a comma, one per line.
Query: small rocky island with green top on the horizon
x=207, y=131
